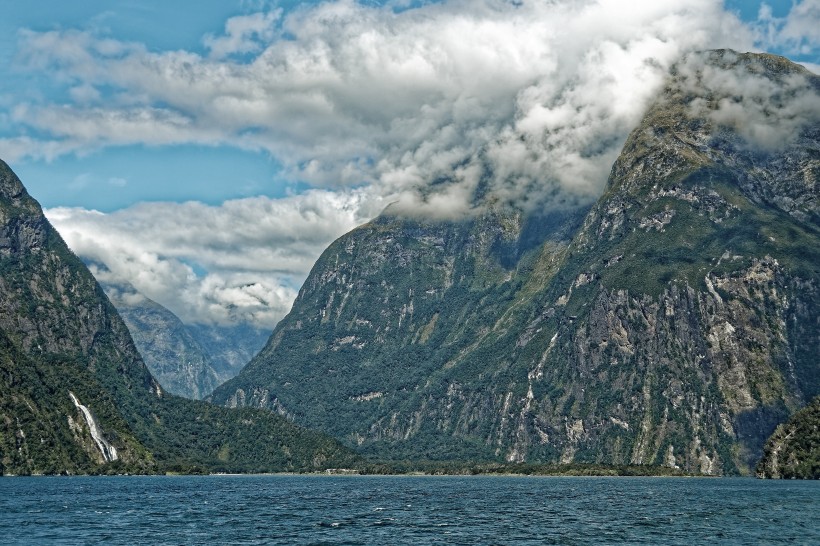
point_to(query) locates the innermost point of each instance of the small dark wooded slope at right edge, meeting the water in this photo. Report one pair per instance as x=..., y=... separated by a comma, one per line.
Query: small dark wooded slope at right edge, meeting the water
x=793, y=451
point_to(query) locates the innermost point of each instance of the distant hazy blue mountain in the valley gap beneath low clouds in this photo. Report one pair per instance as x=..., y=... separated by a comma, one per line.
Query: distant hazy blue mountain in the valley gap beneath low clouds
x=187, y=360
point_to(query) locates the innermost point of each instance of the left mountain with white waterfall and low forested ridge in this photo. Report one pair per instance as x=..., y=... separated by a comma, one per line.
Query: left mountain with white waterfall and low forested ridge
x=75, y=396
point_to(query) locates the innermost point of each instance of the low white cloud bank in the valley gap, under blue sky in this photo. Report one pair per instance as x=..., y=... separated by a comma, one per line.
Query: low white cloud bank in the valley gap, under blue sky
x=242, y=261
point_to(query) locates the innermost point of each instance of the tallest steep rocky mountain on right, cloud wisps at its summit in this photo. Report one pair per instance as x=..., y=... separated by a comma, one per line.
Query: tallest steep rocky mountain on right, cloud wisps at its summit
x=687, y=308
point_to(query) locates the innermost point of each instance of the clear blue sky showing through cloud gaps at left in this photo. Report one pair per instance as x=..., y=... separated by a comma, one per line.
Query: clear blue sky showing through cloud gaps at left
x=149, y=173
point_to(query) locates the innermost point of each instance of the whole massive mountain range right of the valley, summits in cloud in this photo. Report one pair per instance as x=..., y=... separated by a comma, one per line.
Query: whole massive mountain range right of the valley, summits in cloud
x=674, y=323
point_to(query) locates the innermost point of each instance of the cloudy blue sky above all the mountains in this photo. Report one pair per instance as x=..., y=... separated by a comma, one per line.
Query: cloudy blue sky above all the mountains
x=206, y=152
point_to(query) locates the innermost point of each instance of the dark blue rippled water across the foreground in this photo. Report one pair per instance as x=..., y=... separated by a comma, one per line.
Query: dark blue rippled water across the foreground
x=406, y=510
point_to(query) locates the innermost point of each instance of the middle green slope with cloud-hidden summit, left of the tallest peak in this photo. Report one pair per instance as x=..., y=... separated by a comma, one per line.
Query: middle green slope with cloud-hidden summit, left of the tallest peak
x=383, y=307
